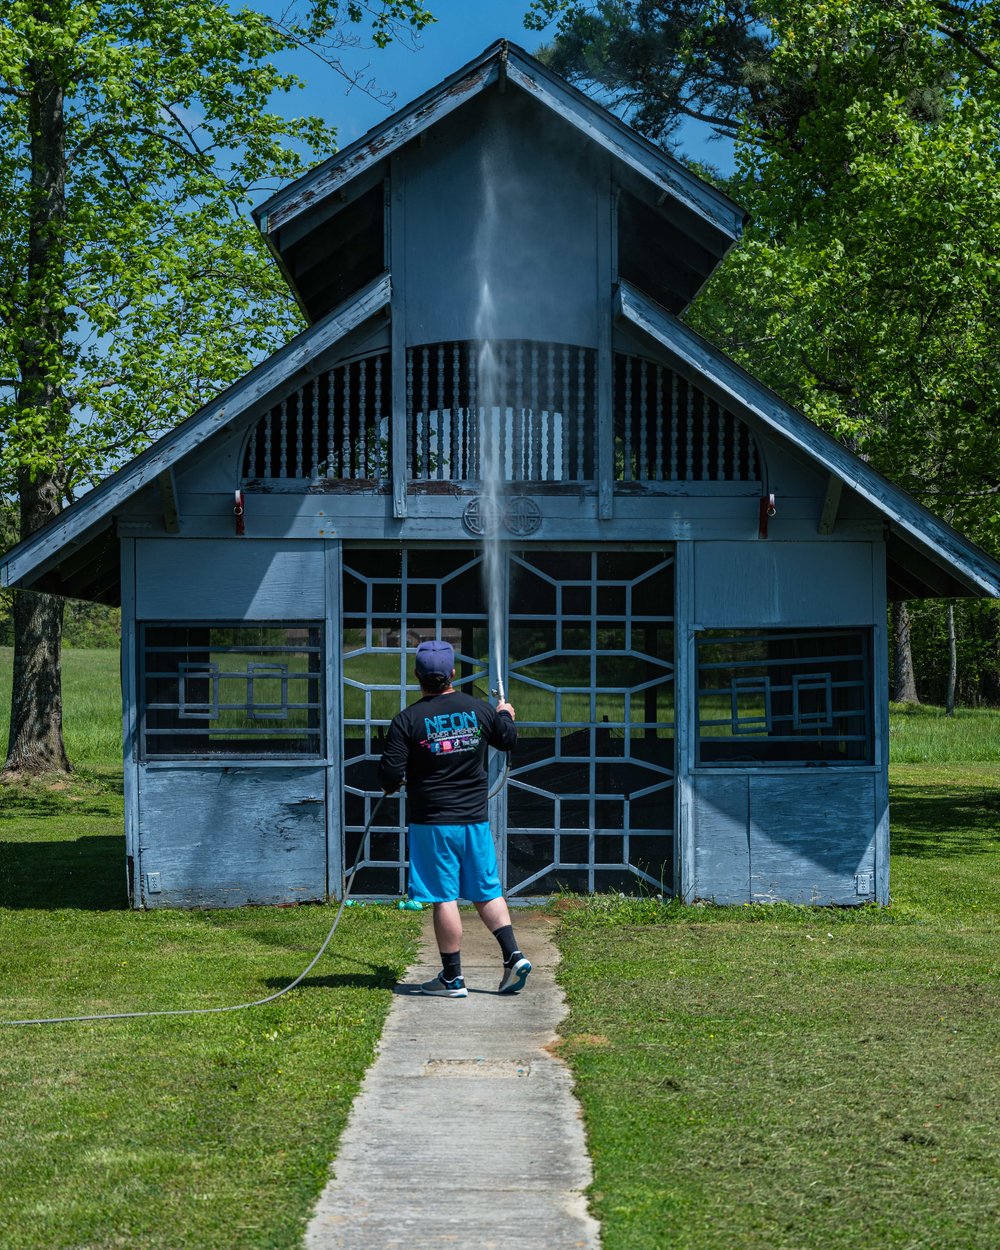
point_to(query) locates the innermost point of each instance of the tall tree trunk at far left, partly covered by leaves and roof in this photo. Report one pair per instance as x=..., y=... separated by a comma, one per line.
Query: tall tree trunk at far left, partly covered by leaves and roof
x=36, y=743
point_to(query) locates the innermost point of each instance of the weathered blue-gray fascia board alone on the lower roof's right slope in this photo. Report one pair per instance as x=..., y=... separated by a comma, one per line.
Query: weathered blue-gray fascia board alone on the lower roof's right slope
x=938, y=541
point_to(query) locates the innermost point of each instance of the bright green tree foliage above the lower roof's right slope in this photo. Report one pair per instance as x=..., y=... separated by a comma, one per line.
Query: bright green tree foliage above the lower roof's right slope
x=866, y=289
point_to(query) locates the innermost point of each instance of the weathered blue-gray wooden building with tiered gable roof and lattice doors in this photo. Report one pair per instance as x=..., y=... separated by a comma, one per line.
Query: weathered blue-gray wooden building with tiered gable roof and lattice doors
x=694, y=577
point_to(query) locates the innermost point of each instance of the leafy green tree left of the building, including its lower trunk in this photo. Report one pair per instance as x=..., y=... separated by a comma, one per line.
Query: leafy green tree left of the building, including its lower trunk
x=132, y=139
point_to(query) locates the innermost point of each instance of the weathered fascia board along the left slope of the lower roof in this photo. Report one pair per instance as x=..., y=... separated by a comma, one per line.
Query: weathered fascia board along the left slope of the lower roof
x=87, y=516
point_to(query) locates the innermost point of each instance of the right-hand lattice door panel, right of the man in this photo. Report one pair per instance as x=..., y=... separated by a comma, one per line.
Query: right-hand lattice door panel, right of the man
x=591, y=798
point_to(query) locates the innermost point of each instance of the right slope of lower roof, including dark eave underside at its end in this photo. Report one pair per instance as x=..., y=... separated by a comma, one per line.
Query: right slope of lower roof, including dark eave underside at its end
x=963, y=568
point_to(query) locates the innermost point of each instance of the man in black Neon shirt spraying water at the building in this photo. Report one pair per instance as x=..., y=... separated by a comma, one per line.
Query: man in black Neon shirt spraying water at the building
x=439, y=747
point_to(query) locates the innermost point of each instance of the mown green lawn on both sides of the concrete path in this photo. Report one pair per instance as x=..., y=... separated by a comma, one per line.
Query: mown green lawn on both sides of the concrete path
x=758, y=1078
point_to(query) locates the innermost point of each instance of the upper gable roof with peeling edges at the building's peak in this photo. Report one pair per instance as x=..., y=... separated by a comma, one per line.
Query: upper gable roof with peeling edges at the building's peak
x=308, y=218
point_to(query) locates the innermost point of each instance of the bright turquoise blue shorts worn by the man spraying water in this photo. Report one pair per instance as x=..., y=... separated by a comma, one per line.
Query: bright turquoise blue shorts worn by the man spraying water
x=453, y=862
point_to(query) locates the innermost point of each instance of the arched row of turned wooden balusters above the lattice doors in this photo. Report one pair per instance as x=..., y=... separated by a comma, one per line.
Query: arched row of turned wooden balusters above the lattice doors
x=531, y=406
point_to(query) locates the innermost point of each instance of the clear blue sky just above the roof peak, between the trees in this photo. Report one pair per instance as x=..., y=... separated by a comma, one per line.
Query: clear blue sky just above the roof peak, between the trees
x=409, y=68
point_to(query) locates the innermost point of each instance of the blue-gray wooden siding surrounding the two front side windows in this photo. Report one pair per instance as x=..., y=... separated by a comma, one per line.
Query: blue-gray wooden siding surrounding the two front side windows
x=744, y=836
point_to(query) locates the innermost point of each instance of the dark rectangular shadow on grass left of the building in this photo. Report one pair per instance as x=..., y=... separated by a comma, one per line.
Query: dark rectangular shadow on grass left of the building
x=86, y=873
